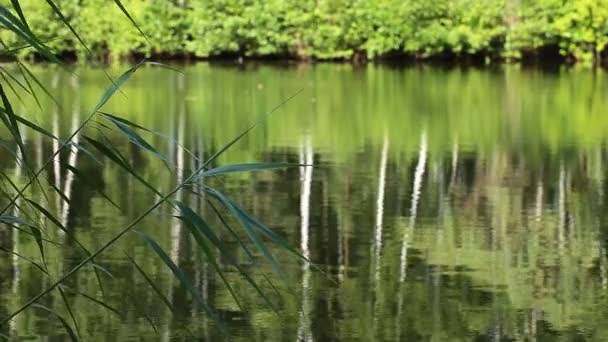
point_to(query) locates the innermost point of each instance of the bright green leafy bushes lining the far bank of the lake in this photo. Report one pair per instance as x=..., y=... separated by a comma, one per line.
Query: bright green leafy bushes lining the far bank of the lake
x=475, y=31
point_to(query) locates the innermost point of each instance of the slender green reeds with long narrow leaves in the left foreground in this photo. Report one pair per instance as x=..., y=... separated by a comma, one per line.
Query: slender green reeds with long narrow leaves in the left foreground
x=35, y=218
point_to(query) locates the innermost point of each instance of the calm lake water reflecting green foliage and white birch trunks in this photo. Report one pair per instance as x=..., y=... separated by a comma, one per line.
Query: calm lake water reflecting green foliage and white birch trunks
x=454, y=204
